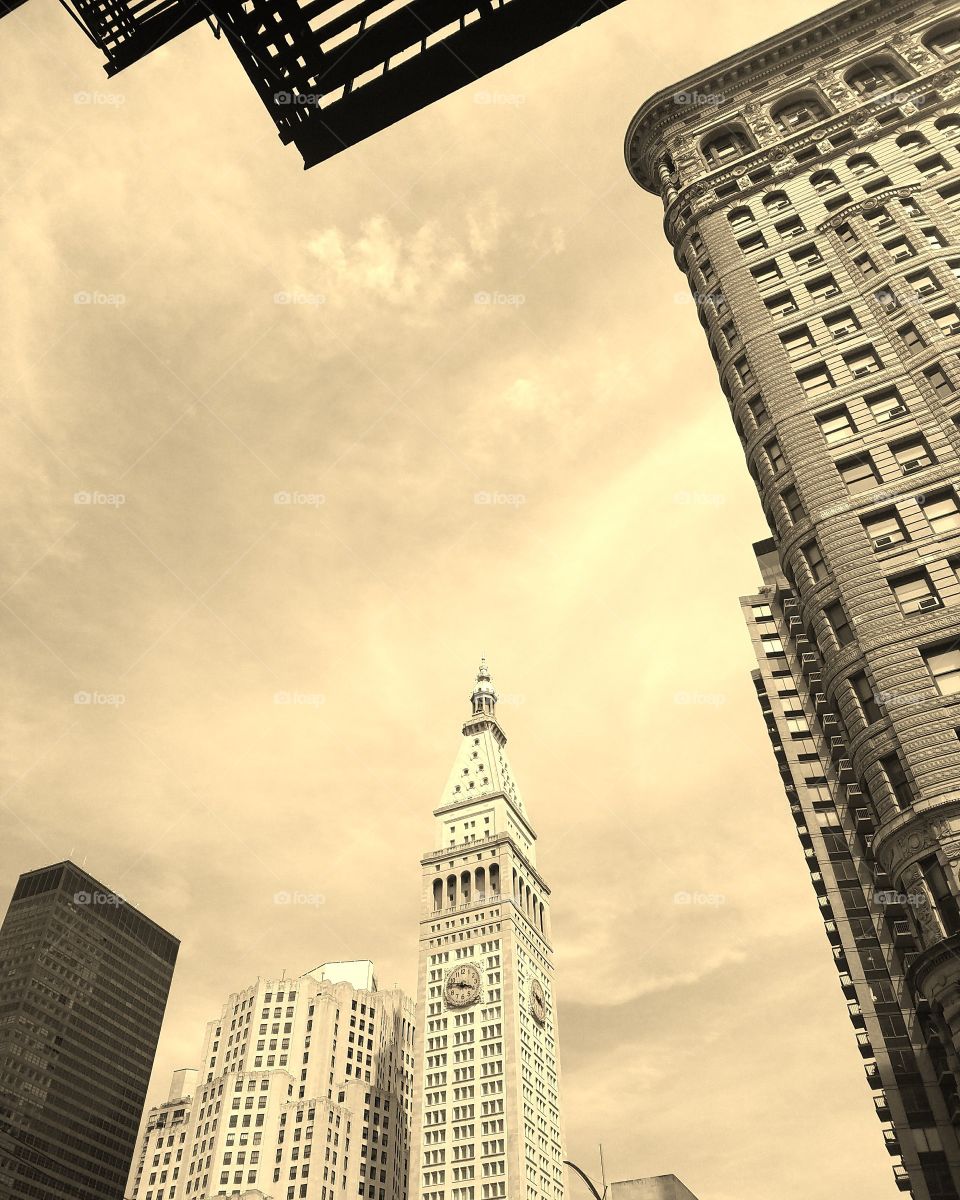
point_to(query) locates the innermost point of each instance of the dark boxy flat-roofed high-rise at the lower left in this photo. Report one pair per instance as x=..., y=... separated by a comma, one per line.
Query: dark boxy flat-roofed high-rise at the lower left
x=83, y=986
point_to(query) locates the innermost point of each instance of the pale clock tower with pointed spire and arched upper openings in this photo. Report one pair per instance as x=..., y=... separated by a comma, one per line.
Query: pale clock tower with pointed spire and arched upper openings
x=487, y=1102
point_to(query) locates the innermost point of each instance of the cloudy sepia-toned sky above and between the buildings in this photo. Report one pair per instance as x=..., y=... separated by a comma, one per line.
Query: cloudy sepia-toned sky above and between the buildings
x=195, y=331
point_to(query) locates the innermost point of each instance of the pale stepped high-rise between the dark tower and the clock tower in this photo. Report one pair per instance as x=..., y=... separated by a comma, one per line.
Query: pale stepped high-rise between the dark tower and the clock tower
x=304, y=1093
